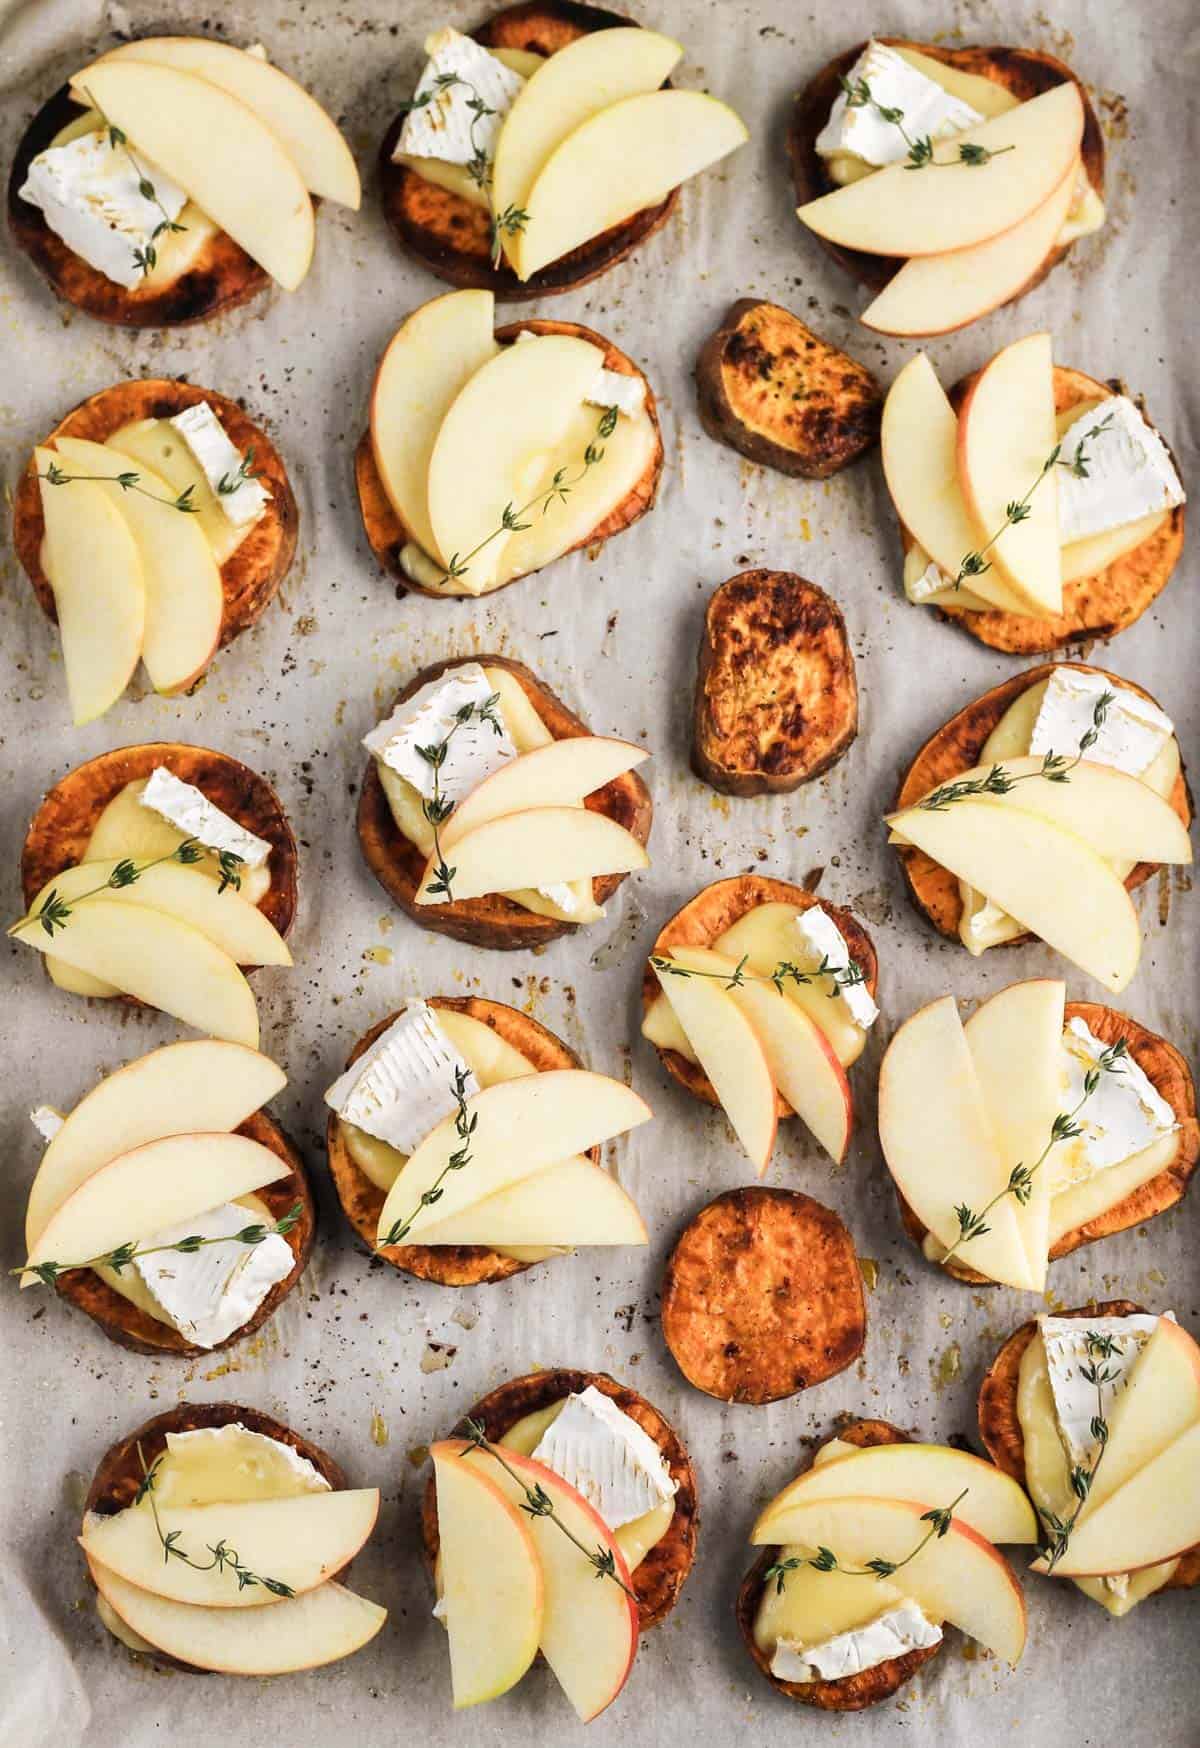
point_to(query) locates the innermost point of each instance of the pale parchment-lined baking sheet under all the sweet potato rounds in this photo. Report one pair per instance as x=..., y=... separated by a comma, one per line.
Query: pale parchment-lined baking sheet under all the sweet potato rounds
x=358, y=1347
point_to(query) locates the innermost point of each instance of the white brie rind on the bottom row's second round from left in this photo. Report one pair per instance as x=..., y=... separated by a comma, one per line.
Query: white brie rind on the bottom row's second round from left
x=603, y=1453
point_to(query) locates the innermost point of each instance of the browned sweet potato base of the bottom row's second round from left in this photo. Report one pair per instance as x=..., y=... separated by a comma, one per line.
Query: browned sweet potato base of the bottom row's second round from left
x=664, y=1572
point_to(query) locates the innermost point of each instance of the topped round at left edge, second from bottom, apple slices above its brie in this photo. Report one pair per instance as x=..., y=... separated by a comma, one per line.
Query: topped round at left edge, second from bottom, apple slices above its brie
x=169, y=1205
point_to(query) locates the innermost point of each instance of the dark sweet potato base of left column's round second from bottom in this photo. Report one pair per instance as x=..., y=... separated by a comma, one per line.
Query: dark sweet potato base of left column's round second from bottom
x=132, y=1328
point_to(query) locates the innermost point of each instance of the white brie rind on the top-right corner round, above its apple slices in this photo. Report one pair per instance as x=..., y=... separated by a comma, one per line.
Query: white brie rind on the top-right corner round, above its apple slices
x=928, y=109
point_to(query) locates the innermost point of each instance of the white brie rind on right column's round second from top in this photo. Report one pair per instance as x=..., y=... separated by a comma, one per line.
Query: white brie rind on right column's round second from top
x=1129, y=471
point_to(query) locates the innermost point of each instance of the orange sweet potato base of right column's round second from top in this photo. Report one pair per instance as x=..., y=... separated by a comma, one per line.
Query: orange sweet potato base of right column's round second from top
x=1092, y=607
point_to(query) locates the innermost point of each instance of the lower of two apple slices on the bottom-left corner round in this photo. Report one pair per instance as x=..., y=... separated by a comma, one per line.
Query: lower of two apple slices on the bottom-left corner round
x=300, y=1634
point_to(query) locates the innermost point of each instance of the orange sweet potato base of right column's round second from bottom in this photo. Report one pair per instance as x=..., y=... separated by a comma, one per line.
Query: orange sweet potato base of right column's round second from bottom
x=1168, y=1071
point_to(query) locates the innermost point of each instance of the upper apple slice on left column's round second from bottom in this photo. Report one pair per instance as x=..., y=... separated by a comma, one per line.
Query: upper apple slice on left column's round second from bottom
x=195, y=1088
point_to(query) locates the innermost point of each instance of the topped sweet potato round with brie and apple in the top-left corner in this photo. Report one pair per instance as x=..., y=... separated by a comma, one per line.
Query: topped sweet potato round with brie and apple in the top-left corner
x=174, y=179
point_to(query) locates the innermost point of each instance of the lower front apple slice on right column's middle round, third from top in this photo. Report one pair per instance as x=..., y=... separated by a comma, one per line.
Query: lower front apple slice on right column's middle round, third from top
x=1040, y=873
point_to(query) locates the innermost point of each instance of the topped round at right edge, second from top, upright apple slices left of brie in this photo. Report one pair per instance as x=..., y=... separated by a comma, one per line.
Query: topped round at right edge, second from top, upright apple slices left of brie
x=1036, y=504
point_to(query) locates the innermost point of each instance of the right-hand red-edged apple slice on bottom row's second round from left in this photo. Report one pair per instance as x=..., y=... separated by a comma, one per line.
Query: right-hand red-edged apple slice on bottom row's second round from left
x=592, y=1623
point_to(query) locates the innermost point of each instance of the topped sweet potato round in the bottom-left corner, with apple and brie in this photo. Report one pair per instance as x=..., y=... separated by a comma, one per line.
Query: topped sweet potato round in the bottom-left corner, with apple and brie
x=218, y=1539
